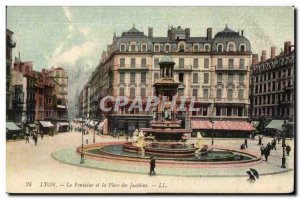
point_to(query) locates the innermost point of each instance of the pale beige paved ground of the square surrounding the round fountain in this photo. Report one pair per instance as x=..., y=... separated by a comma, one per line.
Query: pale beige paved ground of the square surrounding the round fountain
x=28, y=166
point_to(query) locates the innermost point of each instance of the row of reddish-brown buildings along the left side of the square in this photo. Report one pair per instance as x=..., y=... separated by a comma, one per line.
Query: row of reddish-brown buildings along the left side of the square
x=34, y=99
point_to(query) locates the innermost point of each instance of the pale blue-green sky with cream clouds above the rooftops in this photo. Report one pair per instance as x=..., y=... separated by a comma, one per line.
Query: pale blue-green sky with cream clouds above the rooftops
x=76, y=36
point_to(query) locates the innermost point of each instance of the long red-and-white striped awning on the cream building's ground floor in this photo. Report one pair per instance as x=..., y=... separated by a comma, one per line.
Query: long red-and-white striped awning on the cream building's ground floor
x=223, y=125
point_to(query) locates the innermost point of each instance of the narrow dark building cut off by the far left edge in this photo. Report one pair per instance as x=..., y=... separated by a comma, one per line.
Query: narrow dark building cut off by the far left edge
x=10, y=44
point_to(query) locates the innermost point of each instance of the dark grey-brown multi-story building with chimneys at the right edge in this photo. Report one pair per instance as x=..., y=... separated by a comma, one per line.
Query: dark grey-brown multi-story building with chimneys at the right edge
x=272, y=85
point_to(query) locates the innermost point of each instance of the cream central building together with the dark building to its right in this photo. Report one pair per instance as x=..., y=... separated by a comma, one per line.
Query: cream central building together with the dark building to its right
x=232, y=87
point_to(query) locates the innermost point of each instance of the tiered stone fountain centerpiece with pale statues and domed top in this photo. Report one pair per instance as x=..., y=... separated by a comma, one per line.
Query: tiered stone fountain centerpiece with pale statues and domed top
x=165, y=137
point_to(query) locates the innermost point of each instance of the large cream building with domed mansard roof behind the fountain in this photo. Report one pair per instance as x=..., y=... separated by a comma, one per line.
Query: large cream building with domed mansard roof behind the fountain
x=214, y=70
